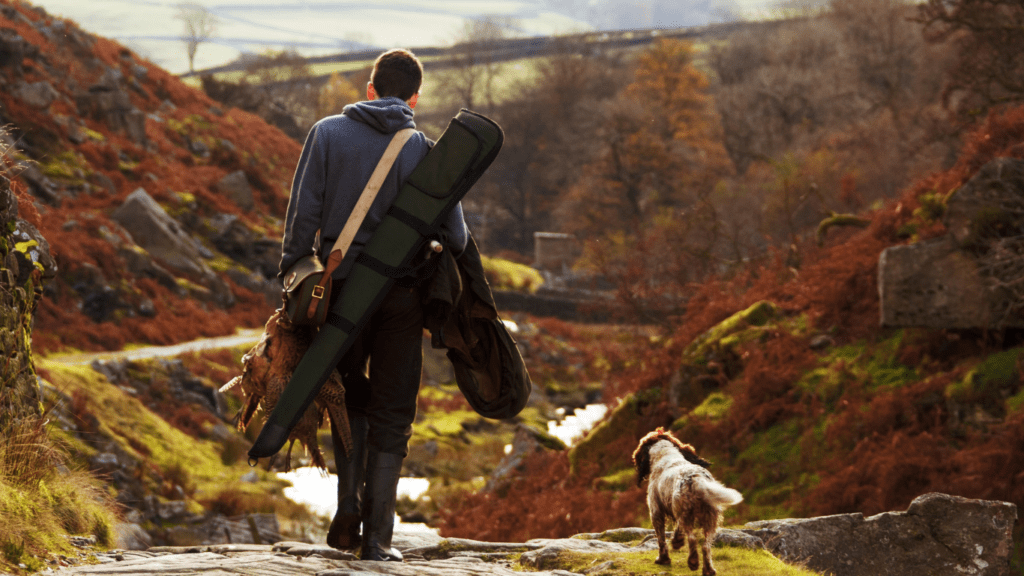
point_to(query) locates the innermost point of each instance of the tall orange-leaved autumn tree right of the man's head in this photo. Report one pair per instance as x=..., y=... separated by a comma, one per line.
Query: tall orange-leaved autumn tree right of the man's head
x=662, y=147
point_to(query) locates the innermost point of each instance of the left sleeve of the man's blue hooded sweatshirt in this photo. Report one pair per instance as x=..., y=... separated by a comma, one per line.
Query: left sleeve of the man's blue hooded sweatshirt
x=306, y=203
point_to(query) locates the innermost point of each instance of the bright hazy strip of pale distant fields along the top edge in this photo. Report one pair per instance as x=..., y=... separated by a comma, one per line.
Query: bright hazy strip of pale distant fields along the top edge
x=321, y=27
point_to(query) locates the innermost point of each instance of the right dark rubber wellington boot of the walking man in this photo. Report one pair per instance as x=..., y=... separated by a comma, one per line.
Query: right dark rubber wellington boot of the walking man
x=383, y=471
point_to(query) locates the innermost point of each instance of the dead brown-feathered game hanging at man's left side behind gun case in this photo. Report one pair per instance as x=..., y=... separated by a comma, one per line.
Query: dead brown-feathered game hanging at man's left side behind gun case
x=268, y=368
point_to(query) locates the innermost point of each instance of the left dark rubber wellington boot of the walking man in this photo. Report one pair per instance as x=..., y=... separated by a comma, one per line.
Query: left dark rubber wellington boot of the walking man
x=345, y=532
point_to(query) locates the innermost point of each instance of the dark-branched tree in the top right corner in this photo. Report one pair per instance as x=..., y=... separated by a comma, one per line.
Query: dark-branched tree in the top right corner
x=989, y=71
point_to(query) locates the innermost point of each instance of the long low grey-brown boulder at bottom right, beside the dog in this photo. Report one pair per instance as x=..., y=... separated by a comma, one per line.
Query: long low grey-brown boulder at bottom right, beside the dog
x=938, y=536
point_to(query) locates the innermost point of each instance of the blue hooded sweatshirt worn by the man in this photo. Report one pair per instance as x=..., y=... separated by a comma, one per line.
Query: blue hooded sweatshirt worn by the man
x=337, y=159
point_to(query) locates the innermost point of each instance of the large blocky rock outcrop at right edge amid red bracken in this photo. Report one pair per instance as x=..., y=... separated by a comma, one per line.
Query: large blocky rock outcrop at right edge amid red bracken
x=967, y=278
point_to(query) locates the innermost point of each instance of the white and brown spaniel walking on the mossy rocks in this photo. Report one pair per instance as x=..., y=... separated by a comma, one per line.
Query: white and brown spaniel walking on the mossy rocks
x=681, y=489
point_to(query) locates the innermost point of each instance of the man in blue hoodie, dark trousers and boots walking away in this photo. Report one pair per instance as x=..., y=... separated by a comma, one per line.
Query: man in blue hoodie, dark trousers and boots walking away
x=381, y=372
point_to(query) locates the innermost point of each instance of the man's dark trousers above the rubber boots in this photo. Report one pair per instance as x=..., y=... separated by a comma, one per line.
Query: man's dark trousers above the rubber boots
x=381, y=372
